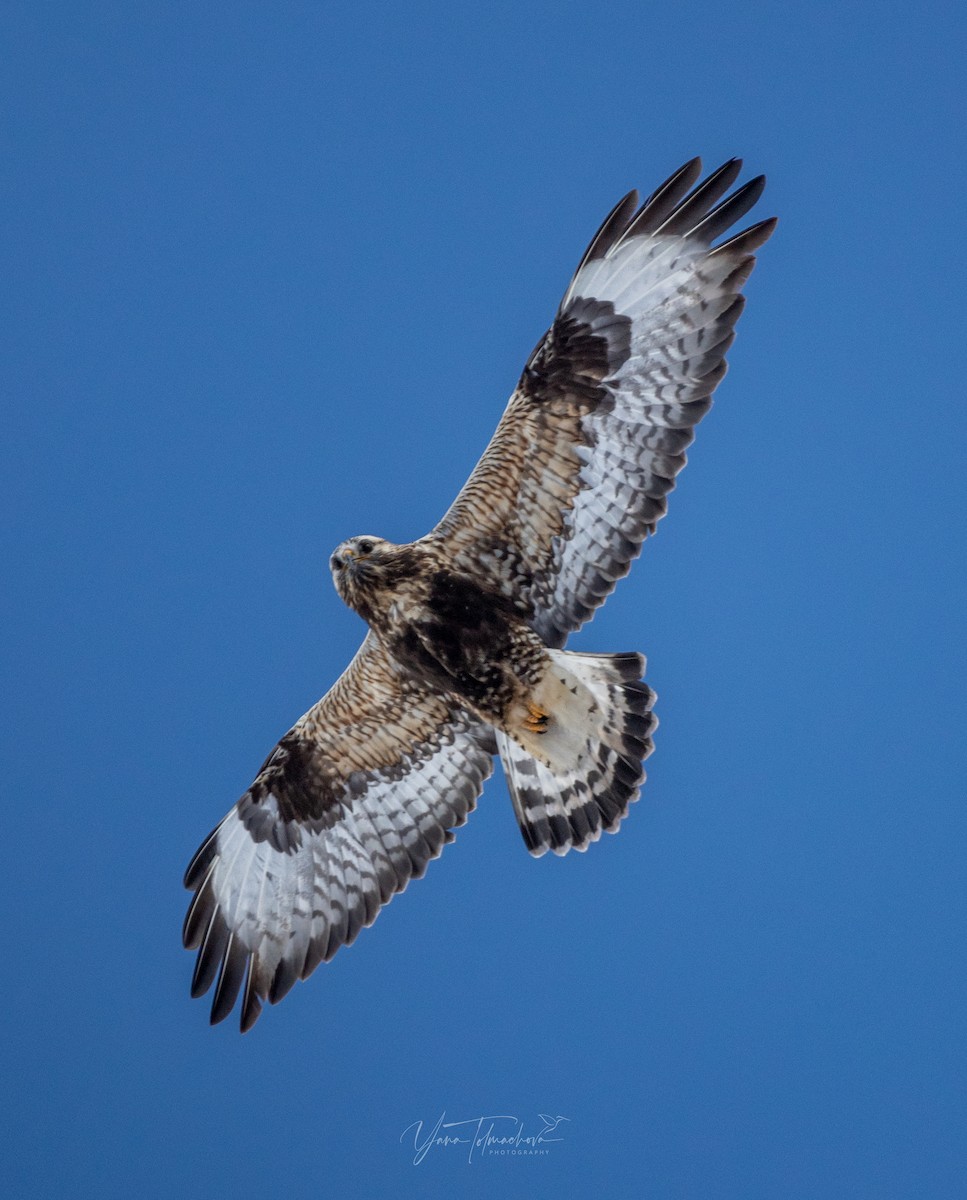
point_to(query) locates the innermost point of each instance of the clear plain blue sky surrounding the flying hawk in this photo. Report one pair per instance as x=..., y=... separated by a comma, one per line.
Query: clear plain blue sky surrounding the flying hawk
x=272, y=274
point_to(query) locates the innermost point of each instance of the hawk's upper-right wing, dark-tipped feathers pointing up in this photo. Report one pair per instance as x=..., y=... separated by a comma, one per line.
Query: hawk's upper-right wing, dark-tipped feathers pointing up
x=580, y=467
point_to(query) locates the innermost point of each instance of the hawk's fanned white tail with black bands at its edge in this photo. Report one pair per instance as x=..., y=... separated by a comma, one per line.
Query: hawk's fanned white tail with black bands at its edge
x=578, y=775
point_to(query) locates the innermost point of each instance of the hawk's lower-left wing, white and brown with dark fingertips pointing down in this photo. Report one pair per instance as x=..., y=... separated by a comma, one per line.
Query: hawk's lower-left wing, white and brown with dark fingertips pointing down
x=352, y=805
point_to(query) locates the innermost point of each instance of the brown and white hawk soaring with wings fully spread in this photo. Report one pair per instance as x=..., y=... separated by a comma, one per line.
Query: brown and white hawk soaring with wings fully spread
x=465, y=655
